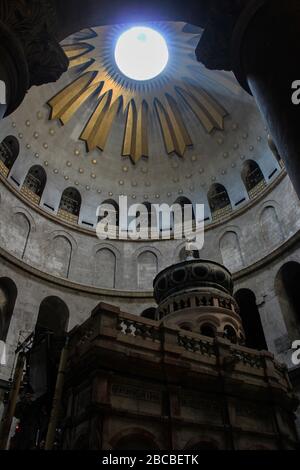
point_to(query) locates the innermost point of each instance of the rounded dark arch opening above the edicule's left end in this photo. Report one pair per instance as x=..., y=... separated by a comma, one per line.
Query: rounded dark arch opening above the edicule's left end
x=53, y=316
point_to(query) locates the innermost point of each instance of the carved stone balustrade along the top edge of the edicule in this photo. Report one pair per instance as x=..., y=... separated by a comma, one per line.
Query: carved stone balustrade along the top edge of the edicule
x=110, y=323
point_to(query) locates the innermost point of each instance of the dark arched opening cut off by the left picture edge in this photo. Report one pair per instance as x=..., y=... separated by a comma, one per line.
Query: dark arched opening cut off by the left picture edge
x=8, y=295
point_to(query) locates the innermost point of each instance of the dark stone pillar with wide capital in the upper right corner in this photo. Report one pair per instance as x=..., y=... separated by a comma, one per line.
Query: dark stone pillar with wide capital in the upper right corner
x=259, y=41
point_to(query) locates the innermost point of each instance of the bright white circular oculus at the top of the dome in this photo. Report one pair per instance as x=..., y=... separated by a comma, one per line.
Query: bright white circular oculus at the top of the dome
x=141, y=53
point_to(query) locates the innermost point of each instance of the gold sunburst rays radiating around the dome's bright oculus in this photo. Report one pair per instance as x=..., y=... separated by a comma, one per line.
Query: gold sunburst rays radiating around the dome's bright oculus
x=97, y=79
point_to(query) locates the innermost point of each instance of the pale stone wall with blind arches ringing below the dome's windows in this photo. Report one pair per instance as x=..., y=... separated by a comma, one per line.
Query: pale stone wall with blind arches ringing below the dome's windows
x=45, y=258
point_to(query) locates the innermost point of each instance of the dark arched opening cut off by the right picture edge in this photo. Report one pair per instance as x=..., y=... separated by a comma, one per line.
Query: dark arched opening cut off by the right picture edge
x=287, y=289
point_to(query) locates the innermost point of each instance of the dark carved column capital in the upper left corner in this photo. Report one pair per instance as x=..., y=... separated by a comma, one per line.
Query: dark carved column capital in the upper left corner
x=29, y=52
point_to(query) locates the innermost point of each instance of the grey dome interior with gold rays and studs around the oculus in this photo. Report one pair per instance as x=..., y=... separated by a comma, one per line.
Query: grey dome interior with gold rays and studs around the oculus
x=189, y=132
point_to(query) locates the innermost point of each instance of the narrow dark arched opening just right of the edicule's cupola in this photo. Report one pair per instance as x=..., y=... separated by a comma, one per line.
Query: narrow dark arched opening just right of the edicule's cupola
x=255, y=337
